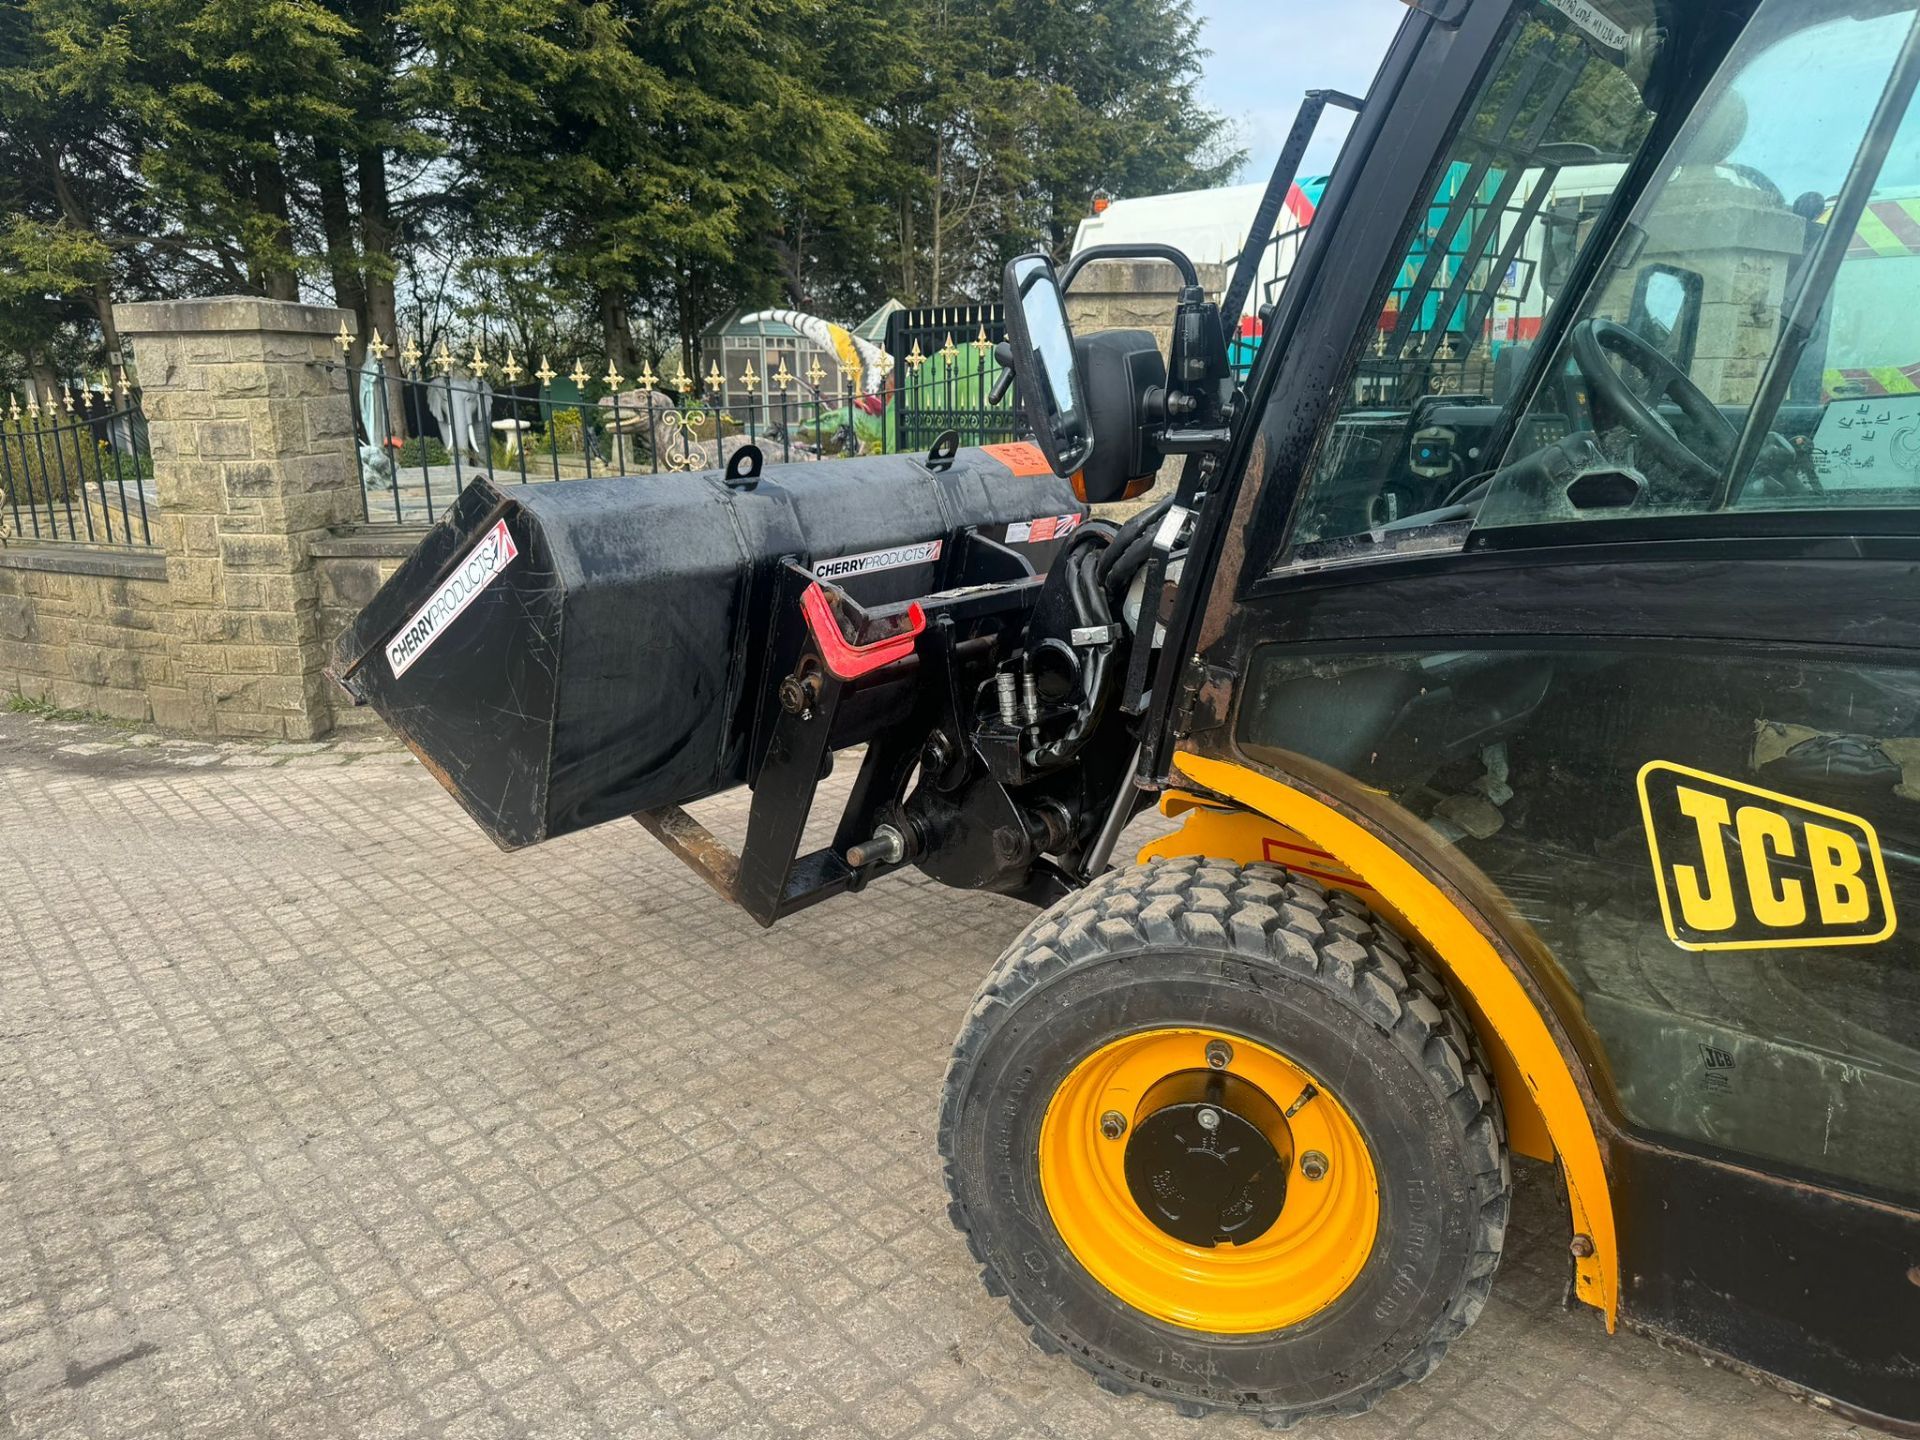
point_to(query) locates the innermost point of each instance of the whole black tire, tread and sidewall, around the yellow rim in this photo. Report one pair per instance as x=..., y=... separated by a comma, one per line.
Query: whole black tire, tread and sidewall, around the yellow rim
x=1299, y=969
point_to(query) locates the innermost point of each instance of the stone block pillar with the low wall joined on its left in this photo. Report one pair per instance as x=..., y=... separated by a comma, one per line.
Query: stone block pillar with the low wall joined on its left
x=218, y=629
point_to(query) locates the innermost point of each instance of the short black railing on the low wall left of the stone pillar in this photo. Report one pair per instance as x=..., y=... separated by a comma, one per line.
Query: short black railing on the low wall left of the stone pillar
x=76, y=468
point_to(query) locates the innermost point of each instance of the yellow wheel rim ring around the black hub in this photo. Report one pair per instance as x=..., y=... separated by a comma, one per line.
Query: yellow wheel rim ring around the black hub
x=1303, y=1264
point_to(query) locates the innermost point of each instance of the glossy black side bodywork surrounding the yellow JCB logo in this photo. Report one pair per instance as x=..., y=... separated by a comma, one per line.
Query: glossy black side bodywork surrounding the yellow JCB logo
x=1783, y=1268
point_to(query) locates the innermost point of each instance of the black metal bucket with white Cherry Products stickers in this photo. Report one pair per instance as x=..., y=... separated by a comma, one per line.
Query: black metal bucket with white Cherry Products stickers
x=577, y=652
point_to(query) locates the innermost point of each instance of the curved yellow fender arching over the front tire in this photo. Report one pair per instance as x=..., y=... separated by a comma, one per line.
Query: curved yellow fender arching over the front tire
x=1545, y=1105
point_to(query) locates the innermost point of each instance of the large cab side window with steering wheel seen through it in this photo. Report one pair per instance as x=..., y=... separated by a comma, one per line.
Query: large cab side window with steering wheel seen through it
x=1685, y=387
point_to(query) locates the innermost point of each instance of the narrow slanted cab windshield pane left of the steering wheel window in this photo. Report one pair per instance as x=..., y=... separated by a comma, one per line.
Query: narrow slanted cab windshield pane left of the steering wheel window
x=1562, y=112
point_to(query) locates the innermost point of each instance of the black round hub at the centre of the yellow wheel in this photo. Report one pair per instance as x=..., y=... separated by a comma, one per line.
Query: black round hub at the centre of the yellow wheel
x=1209, y=1159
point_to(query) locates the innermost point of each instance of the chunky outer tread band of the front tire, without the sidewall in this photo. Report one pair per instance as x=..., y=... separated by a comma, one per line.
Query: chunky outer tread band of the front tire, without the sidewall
x=1308, y=932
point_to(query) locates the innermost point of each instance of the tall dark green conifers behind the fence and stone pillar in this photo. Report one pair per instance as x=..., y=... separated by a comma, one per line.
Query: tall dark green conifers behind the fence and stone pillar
x=654, y=164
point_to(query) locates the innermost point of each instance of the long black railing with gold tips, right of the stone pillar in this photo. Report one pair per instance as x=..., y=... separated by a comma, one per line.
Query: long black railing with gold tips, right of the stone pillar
x=429, y=427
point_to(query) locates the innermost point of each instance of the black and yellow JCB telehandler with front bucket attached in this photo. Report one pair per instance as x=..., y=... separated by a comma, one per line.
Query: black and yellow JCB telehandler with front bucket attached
x=1529, y=656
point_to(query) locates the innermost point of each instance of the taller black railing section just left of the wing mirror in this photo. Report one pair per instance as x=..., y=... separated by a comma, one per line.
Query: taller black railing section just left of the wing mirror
x=946, y=373
